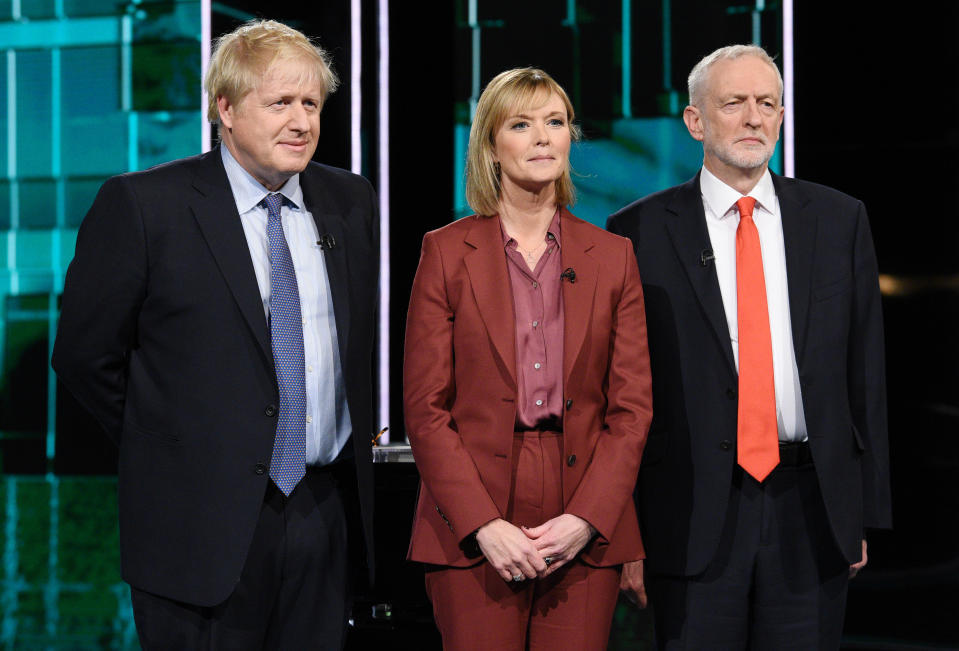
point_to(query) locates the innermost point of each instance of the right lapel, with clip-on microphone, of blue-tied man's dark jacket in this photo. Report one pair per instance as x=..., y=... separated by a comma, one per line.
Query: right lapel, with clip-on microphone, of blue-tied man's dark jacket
x=329, y=222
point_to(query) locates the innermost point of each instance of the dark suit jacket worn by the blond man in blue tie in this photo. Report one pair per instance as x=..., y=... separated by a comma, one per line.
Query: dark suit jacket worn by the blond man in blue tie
x=162, y=337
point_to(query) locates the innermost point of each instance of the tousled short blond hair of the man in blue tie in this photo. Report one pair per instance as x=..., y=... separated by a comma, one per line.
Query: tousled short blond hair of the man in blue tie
x=241, y=58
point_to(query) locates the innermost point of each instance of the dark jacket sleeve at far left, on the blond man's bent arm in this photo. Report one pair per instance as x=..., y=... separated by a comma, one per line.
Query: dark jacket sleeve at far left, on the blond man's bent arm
x=104, y=288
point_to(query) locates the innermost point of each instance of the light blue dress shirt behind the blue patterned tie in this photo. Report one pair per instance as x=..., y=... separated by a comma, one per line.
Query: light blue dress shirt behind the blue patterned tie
x=328, y=425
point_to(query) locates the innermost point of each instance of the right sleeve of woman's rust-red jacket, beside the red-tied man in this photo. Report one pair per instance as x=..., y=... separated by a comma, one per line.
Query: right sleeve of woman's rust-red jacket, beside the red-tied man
x=606, y=488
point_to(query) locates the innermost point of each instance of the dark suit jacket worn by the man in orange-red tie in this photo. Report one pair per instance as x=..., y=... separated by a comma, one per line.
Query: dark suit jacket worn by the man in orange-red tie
x=836, y=317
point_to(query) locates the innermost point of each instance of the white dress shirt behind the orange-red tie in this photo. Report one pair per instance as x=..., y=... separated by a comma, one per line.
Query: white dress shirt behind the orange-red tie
x=722, y=220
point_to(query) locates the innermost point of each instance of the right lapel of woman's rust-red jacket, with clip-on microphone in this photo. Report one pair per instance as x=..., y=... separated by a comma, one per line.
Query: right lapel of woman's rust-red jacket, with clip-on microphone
x=575, y=253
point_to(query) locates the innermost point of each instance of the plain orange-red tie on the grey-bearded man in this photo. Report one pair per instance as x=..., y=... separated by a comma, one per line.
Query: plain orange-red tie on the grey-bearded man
x=757, y=436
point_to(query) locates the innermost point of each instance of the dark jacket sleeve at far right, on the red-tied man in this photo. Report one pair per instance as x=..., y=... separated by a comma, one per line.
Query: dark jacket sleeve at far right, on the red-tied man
x=867, y=382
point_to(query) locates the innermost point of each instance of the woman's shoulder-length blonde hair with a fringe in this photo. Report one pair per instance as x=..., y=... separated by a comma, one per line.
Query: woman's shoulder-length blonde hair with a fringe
x=507, y=92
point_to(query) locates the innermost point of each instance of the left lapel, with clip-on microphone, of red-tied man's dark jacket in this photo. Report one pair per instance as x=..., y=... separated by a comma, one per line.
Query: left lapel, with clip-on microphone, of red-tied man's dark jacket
x=687, y=229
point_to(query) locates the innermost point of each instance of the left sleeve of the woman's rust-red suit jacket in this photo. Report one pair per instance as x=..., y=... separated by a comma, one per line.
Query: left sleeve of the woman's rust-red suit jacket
x=444, y=463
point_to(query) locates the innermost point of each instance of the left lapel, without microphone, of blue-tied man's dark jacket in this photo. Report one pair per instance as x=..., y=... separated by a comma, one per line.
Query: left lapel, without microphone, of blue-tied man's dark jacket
x=215, y=212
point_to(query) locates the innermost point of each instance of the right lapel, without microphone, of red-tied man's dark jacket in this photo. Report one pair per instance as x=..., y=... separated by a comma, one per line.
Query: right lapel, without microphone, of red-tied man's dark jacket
x=799, y=236
